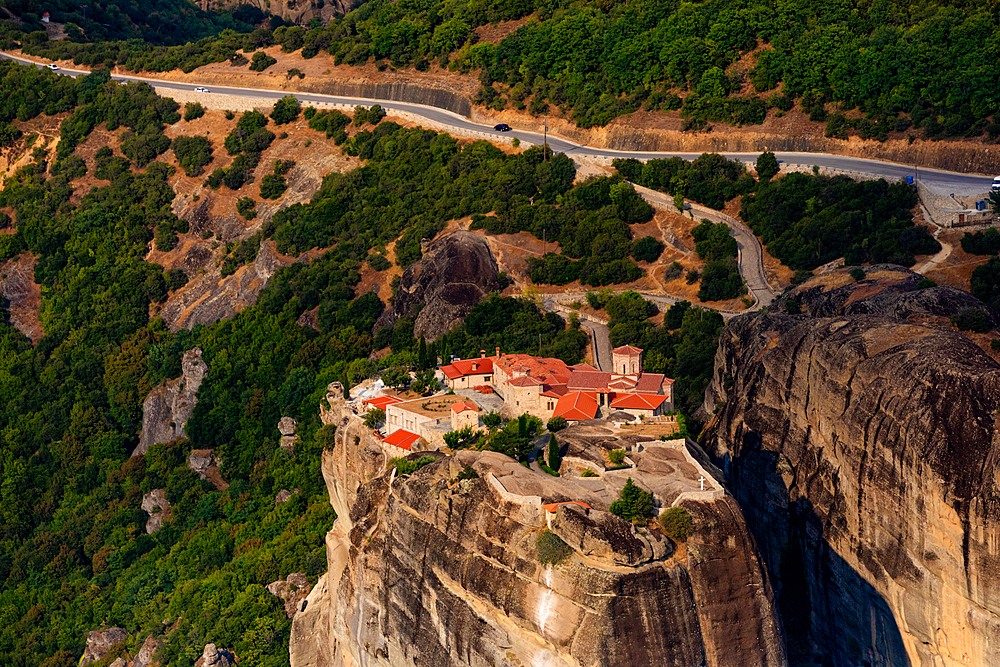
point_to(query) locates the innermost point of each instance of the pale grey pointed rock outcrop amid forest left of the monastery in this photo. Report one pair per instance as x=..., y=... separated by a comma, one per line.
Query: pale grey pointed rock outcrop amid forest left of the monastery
x=168, y=407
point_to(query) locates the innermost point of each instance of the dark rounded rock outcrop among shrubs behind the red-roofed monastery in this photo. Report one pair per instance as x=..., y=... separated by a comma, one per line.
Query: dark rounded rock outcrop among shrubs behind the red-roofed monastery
x=455, y=273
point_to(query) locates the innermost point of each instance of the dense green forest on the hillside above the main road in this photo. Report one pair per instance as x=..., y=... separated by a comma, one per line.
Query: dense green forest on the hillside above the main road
x=925, y=68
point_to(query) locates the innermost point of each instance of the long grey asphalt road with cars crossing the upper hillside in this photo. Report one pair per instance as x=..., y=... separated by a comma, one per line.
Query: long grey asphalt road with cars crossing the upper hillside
x=889, y=170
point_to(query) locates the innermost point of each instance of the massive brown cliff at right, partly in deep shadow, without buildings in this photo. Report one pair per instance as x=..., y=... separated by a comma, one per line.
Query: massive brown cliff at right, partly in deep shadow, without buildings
x=861, y=441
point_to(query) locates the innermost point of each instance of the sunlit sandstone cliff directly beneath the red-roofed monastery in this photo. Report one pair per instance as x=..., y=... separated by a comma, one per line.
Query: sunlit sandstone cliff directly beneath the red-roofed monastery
x=426, y=570
